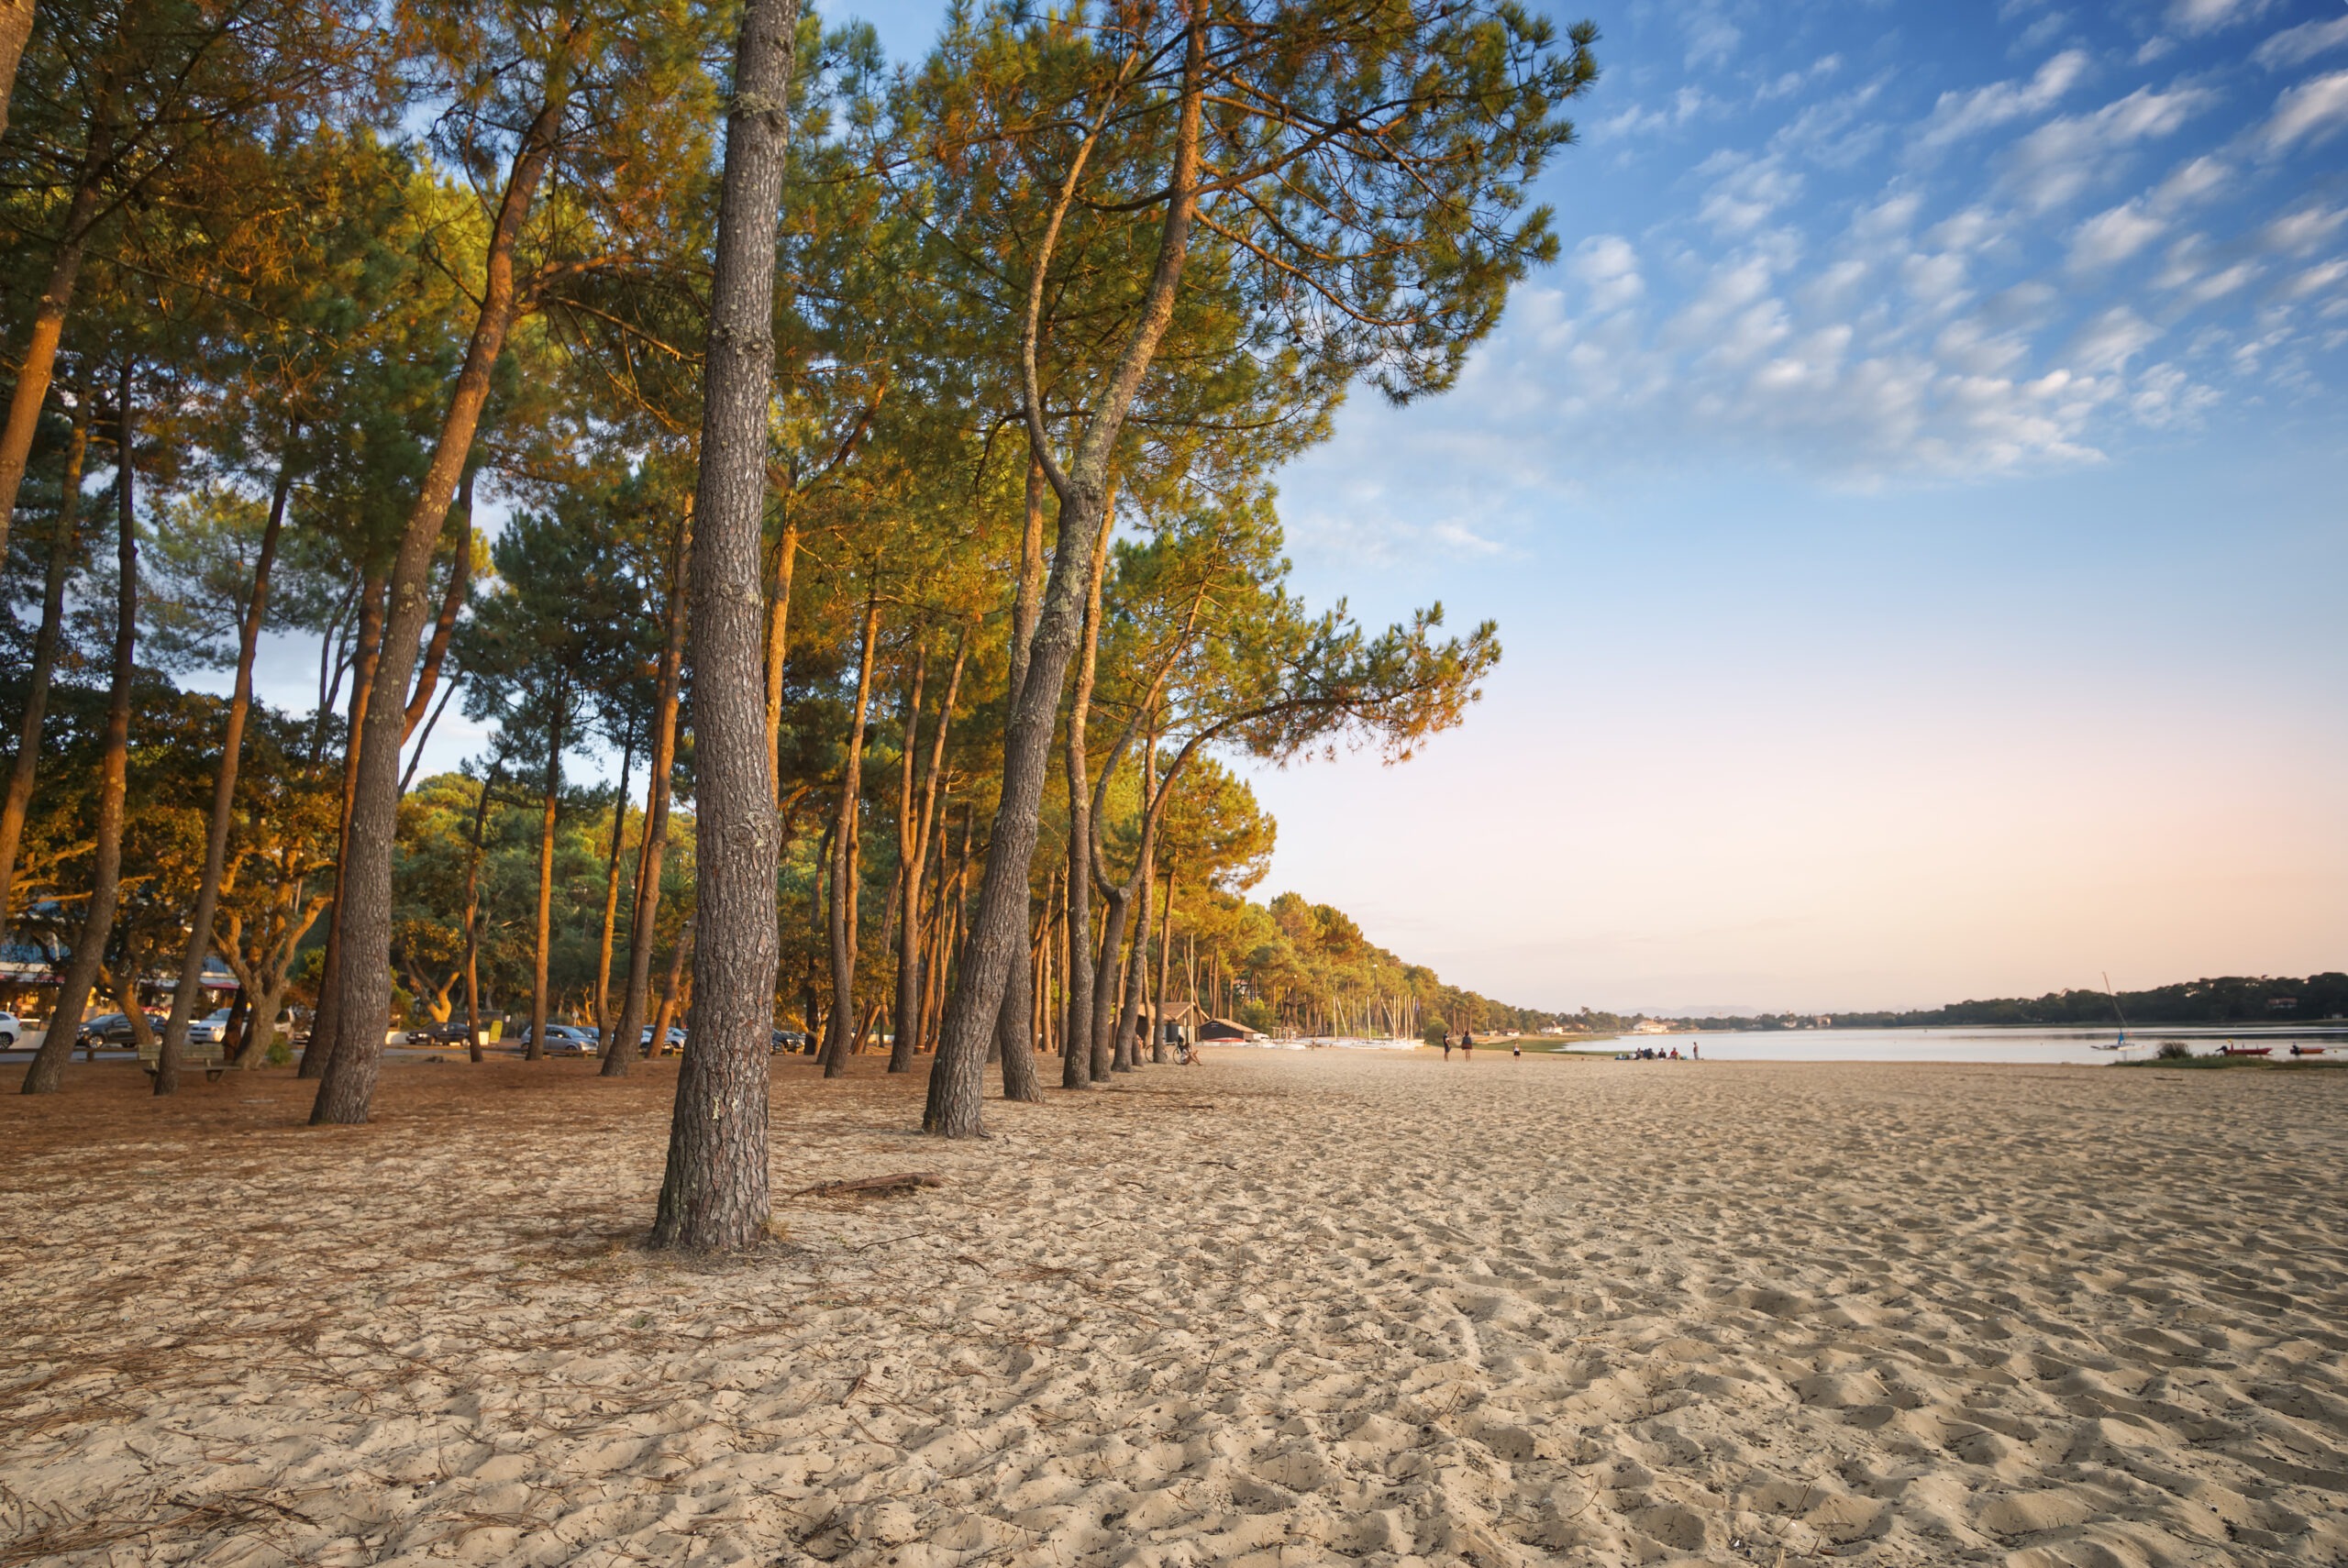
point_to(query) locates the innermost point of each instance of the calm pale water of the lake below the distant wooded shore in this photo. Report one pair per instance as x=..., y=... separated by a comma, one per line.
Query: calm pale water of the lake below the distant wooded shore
x=2020, y=1046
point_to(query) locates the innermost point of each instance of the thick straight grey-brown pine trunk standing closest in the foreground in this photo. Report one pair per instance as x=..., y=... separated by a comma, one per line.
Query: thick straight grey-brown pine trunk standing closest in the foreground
x=715, y=1194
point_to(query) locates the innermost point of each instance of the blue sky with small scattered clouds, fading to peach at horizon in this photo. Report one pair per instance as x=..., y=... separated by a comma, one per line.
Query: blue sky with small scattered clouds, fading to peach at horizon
x=1912, y=508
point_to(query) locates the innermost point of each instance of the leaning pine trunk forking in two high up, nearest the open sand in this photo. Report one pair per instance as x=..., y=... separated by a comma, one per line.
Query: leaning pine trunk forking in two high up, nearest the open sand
x=999, y=933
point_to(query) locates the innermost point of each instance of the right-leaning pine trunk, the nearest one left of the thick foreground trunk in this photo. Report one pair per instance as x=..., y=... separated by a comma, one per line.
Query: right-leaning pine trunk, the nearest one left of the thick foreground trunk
x=365, y=893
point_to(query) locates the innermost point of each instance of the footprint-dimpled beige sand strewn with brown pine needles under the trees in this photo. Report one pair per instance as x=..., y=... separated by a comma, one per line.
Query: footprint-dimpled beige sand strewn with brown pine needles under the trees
x=1283, y=1309
